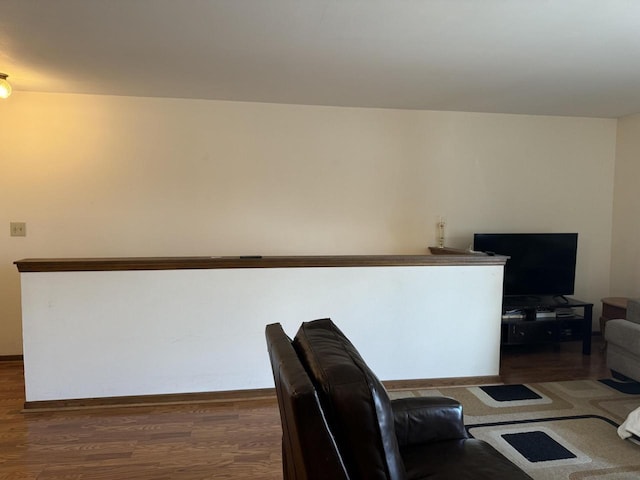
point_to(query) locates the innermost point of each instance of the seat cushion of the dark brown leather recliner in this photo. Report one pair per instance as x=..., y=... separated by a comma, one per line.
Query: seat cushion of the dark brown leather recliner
x=463, y=459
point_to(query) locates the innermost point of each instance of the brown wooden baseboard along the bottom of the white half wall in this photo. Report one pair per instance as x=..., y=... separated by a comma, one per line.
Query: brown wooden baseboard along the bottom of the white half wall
x=253, y=395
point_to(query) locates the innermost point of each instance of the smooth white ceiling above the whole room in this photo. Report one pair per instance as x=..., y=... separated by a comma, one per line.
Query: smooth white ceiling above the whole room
x=550, y=57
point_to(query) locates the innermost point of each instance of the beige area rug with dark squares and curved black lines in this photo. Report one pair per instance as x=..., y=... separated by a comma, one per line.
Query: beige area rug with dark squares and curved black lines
x=553, y=430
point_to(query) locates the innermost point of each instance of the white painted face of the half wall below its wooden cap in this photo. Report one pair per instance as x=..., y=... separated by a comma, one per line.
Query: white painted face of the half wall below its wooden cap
x=105, y=334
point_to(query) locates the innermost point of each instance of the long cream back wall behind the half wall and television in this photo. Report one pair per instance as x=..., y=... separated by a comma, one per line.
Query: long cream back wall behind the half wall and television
x=129, y=176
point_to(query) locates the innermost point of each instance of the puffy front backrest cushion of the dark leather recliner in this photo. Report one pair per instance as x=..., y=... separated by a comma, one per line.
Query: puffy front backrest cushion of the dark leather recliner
x=356, y=404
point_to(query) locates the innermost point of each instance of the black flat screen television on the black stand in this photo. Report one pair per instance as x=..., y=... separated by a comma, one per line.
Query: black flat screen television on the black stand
x=541, y=264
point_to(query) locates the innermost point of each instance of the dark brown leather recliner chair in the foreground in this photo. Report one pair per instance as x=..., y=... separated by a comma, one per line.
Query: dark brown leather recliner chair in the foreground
x=339, y=423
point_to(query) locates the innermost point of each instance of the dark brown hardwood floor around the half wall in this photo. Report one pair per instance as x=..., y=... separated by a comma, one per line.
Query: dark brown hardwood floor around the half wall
x=194, y=440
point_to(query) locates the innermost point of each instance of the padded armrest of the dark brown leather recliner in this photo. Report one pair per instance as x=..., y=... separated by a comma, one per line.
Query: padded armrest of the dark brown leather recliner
x=427, y=419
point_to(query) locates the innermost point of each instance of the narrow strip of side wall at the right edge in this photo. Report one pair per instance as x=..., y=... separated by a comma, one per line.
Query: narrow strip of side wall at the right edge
x=625, y=256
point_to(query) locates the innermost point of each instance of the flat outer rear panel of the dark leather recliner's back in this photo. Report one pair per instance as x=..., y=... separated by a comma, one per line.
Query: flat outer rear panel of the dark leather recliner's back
x=309, y=451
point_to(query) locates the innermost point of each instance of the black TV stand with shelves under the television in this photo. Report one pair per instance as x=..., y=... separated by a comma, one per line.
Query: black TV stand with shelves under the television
x=542, y=320
